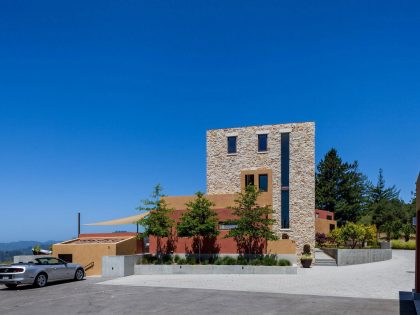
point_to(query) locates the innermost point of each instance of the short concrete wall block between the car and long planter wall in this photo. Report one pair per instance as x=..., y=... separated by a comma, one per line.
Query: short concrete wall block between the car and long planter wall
x=119, y=266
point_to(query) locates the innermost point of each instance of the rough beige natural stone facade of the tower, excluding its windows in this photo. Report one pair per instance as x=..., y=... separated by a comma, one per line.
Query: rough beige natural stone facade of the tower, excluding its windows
x=223, y=170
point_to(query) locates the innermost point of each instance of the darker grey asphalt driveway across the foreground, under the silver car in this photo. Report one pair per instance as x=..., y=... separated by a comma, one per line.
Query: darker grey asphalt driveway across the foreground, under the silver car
x=87, y=297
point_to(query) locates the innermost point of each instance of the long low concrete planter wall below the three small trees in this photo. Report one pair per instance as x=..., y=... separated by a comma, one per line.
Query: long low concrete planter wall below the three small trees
x=212, y=269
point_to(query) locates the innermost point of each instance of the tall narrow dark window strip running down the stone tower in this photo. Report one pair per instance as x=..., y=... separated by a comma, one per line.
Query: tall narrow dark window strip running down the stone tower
x=285, y=159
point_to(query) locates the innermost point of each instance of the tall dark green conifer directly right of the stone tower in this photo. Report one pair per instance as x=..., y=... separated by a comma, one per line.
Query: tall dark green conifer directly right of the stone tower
x=340, y=188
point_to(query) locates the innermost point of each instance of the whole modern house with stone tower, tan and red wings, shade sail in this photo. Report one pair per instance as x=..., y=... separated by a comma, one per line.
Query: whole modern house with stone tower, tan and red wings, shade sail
x=278, y=159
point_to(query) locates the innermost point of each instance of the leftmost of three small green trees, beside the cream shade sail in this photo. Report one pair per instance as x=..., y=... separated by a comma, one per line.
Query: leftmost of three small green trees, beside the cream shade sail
x=159, y=222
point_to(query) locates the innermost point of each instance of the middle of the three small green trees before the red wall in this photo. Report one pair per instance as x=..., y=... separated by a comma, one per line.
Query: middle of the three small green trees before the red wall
x=199, y=222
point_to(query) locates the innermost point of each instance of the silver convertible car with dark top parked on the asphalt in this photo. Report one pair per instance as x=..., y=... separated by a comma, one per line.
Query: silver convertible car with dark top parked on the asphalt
x=39, y=272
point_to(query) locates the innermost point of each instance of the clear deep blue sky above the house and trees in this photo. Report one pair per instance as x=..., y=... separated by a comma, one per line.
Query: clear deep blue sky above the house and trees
x=100, y=100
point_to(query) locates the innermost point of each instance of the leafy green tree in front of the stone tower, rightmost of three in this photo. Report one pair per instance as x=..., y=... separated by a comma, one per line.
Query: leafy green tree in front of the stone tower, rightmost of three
x=254, y=222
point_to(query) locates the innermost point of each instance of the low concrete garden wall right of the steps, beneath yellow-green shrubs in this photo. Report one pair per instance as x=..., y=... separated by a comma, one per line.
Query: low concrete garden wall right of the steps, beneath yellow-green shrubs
x=346, y=257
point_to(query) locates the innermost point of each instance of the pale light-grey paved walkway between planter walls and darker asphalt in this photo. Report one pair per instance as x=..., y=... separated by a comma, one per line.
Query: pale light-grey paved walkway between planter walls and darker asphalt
x=380, y=280
